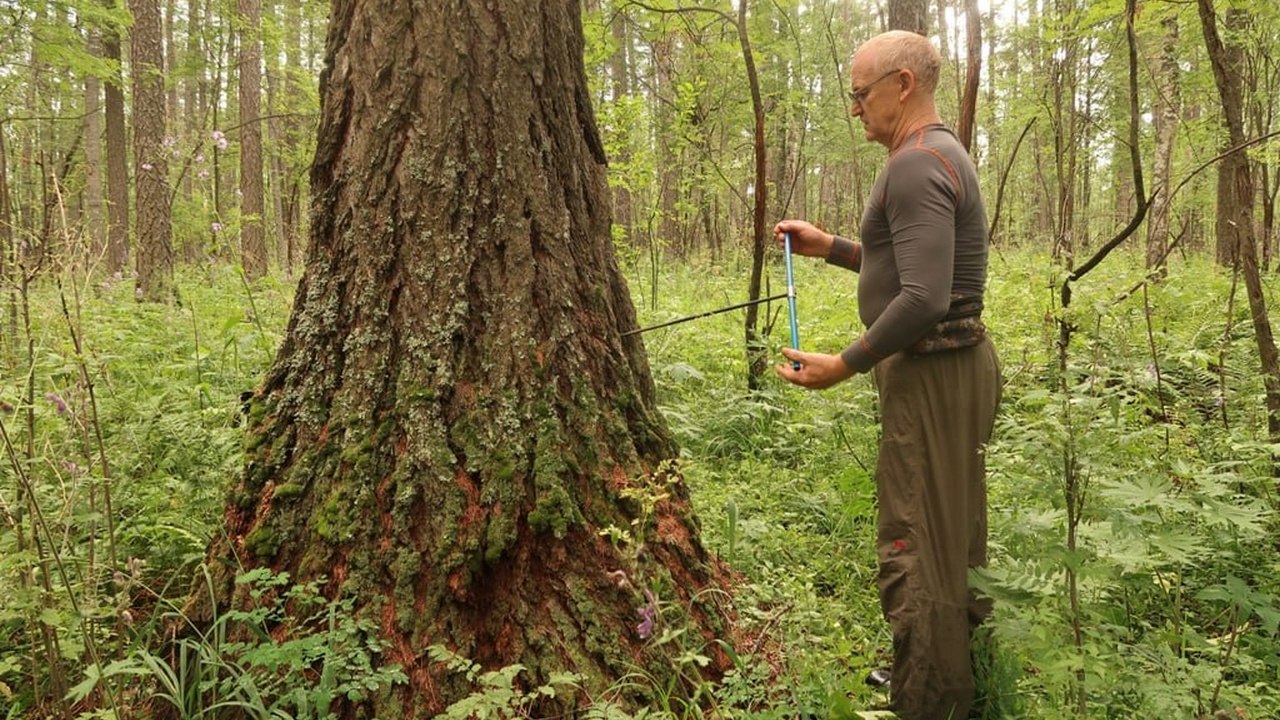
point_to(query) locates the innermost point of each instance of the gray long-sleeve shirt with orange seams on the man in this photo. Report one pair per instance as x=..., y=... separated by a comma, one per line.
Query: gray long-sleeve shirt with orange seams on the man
x=924, y=245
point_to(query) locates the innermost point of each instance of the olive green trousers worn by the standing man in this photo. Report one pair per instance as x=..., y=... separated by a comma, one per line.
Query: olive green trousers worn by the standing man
x=938, y=414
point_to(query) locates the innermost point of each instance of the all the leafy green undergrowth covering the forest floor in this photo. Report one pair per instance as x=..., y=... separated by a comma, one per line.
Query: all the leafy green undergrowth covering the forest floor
x=1163, y=422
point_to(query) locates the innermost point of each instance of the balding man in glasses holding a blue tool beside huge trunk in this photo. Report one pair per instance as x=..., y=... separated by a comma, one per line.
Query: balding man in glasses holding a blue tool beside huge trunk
x=924, y=267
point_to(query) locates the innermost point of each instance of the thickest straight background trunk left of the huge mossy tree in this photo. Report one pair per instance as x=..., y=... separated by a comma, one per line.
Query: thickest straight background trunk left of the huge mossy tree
x=150, y=157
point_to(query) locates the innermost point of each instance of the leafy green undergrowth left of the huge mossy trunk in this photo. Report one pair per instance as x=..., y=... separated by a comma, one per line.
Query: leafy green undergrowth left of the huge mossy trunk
x=135, y=511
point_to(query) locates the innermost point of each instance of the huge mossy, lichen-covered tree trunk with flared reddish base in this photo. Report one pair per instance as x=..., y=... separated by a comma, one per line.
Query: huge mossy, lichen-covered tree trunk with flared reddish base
x=454, y=417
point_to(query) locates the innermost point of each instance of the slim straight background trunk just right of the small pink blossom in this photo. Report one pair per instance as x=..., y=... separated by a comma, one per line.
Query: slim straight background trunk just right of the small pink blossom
x=253, y=236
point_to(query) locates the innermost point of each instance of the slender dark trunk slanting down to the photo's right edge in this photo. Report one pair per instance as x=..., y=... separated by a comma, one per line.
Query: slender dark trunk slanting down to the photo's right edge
x=1236, y=192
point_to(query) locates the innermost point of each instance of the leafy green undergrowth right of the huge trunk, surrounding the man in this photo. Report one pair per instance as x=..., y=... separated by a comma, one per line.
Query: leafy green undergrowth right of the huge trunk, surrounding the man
x=1178, y=572
